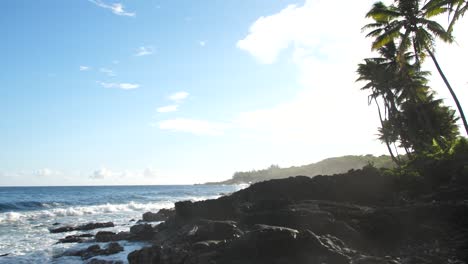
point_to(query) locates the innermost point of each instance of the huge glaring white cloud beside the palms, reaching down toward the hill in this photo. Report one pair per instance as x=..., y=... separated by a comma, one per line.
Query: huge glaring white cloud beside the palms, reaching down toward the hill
x=328, y=112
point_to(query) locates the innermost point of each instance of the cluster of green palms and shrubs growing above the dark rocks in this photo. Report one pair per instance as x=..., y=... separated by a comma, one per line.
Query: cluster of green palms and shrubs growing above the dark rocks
x=413, y=120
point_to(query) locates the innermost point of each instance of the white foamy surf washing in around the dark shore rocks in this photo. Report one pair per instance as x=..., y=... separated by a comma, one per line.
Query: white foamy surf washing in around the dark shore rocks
x=25, y=236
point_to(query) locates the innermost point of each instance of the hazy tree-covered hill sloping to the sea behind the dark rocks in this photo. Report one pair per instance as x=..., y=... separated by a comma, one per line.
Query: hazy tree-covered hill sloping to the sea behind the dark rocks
x=325, y=167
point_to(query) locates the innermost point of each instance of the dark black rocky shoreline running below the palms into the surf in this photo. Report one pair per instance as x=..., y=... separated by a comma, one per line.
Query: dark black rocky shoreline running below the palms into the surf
x=361, y=217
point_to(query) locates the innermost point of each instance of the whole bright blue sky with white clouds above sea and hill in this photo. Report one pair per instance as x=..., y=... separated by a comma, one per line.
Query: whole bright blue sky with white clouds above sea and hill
x=170, y=92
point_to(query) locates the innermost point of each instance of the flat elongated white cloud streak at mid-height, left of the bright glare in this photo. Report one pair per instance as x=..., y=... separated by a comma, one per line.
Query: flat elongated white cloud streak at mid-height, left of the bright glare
x=197, y=127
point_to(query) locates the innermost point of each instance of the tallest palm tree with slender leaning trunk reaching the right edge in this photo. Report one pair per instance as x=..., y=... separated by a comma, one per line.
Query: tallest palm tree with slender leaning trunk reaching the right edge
x=409, y=24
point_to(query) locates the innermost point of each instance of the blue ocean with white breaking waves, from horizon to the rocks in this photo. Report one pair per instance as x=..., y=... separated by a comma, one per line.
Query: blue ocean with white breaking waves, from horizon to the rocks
x=27, y=214
